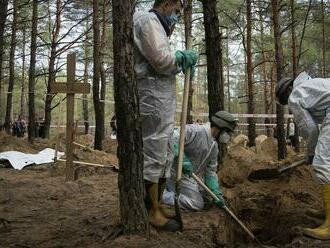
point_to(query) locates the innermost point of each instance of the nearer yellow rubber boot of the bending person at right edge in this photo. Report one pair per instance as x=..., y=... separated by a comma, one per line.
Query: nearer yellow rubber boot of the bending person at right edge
x=322, y=232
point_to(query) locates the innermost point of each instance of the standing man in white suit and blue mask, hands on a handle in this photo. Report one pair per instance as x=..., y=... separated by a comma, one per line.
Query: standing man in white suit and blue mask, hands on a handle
x=156, y=66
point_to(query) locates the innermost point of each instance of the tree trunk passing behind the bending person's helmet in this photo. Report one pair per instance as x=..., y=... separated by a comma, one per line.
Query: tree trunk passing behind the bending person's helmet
x=279, y=73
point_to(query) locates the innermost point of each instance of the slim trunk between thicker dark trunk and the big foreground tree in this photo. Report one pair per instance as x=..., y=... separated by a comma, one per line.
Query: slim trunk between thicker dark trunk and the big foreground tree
x=102, y=69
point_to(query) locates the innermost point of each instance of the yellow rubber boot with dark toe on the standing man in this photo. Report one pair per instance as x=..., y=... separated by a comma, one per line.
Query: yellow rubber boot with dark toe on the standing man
x=156, y=217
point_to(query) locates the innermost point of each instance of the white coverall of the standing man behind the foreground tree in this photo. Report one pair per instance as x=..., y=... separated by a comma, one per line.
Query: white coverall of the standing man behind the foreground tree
x=155, y=67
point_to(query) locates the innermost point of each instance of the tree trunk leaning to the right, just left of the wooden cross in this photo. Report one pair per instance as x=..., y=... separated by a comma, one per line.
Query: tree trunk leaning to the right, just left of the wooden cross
x=51, y=69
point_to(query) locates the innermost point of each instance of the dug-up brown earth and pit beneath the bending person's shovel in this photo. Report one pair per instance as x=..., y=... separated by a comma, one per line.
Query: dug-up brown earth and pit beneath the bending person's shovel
x=275, y=210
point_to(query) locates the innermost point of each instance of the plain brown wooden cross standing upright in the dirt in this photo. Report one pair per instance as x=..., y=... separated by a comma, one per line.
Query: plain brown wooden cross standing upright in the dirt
x=71, y=87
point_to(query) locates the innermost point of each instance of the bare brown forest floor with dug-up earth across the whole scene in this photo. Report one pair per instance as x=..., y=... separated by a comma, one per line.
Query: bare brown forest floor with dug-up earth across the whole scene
x=38, y=208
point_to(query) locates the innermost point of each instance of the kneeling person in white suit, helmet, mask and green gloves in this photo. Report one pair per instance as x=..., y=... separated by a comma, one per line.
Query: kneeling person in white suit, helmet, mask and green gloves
x=200, y=157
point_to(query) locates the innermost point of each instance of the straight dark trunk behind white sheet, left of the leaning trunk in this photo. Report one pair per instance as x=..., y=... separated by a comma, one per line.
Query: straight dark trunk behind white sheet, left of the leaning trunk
x=33, y=49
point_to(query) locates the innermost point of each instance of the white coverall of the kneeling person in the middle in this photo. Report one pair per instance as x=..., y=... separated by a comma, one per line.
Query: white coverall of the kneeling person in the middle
x=202, y=150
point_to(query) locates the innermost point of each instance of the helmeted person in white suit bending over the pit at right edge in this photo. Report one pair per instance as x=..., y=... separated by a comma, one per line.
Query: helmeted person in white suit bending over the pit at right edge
x=309, y=101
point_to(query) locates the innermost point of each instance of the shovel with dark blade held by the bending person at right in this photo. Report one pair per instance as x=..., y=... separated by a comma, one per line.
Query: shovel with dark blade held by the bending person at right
x=268, y=174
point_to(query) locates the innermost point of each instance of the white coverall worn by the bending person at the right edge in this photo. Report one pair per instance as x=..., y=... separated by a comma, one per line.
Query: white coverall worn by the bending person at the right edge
x=310, y=104
